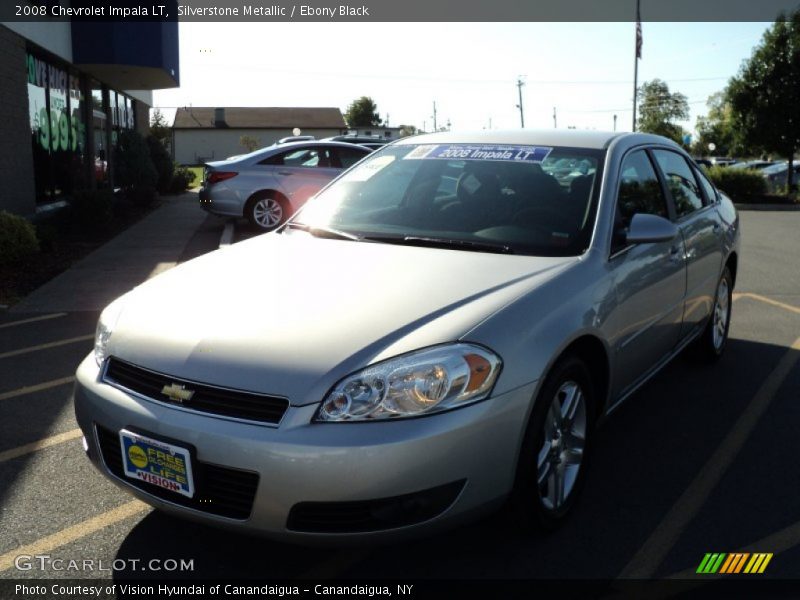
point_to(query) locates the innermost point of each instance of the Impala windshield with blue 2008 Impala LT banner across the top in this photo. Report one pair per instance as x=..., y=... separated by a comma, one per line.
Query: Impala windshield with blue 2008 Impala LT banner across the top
x=506, y=198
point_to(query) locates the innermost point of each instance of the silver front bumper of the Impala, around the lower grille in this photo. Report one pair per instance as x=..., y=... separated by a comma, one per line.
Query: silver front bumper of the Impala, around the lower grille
x=299, y=462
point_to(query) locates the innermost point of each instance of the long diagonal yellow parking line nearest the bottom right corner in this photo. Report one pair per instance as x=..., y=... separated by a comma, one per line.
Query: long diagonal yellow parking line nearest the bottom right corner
x=648, y=558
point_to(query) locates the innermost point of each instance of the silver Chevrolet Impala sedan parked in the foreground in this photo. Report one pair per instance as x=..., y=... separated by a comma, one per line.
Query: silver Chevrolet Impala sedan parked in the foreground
x=436, y=333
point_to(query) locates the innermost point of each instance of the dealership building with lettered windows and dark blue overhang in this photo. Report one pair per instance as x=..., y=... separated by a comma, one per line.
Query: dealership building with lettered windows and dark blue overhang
x=68, y=89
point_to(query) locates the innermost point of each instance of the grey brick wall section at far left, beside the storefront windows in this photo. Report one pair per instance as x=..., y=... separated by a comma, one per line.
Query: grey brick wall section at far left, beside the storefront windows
x=17, y=193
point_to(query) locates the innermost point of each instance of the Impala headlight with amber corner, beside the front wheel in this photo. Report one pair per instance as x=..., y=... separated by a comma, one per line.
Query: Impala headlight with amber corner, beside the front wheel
x=422, y=382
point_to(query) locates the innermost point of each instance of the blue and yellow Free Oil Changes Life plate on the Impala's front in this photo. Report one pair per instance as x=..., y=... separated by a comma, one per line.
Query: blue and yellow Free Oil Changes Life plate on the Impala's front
x=158, y=463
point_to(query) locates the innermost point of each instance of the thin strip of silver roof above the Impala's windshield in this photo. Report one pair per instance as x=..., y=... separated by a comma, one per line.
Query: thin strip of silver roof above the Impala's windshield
x=542, y=137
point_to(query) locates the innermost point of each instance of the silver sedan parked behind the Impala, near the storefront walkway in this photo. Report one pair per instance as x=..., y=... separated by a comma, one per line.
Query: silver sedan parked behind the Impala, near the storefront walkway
x=267, y=186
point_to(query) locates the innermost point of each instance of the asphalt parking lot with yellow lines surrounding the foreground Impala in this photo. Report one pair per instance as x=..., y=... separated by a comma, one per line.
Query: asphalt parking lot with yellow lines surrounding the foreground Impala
x=700, y=460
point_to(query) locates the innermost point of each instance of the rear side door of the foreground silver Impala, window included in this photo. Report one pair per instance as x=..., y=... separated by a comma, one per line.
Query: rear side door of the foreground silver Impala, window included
x=700, y=227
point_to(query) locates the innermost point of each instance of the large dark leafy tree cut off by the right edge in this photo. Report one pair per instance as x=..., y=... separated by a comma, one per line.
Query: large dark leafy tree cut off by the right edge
x=765, y=95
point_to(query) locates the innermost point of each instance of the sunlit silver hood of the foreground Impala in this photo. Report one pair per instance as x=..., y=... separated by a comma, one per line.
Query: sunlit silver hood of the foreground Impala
x=290, y=314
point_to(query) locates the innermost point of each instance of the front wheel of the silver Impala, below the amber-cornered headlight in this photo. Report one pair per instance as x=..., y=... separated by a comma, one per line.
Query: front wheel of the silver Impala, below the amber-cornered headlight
x=552, y=462
